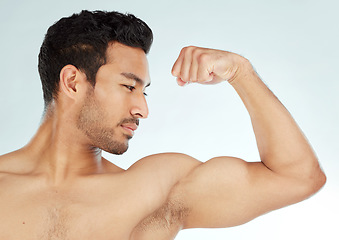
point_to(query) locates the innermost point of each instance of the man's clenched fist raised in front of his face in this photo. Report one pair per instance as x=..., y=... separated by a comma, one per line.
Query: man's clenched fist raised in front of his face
x=206, y=66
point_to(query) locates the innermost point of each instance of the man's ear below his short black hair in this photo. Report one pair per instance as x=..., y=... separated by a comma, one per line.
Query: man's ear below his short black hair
x=71, y=80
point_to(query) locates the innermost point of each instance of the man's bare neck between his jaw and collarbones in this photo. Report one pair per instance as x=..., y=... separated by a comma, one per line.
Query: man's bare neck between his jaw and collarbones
x=61, y=152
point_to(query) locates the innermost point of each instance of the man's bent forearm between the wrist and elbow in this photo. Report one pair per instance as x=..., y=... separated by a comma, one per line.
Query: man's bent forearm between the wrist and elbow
x=282, y=146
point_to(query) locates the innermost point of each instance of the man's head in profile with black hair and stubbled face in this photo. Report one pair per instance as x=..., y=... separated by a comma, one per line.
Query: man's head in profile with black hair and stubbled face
x=93, y=66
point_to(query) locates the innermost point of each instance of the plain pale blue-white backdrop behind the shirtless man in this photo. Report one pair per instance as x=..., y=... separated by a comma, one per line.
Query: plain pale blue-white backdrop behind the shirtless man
x=292, y=44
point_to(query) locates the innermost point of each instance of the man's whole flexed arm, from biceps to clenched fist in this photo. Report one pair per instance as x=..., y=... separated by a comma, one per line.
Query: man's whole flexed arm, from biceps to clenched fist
x=227, y=191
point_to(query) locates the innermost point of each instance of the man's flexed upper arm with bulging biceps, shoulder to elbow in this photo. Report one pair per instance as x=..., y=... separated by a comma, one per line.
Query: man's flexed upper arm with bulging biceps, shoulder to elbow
x=225, y=192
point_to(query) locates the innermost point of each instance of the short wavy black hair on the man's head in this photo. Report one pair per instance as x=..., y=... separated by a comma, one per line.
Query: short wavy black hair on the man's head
x=82, y=40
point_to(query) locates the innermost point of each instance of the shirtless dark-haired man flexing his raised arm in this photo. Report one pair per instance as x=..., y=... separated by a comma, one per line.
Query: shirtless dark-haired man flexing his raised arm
x=94, y=73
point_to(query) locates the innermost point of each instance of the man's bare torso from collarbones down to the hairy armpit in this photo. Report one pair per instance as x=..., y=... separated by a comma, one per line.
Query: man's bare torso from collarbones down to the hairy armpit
x=127, y=205
